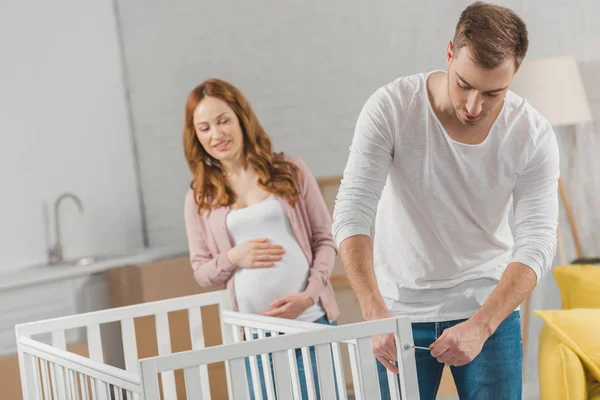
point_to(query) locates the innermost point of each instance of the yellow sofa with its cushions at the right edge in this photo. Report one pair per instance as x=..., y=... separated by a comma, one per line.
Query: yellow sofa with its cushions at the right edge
x=569, y=347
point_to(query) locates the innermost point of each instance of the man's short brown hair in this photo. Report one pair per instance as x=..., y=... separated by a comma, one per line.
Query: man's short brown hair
x=493, y=33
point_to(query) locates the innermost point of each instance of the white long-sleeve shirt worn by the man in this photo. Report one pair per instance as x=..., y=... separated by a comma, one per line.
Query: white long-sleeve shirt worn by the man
x=442, y=236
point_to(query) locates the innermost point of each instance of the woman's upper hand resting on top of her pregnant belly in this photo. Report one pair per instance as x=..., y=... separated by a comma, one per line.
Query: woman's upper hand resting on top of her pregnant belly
x=258, y=253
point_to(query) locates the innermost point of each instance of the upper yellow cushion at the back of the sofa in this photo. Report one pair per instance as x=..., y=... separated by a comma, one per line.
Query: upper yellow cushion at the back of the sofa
x=579, y=285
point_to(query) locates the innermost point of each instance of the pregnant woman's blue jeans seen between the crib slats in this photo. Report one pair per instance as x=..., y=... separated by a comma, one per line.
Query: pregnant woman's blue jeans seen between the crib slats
x=299, y=362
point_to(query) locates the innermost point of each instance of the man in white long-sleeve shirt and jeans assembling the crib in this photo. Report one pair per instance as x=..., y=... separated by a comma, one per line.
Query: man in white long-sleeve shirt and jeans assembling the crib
x=442, y=157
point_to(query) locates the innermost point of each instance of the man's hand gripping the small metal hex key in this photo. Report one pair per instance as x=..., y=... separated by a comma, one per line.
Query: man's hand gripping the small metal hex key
x=460, y=344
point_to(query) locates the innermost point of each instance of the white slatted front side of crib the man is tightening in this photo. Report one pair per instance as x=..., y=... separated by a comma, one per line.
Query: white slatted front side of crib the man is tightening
x=285, y=381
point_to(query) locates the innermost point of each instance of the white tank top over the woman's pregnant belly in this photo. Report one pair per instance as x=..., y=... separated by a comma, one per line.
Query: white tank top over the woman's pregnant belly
x=256, y=288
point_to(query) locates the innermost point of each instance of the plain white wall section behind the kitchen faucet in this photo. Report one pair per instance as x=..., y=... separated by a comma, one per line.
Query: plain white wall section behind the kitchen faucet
x=63, y=127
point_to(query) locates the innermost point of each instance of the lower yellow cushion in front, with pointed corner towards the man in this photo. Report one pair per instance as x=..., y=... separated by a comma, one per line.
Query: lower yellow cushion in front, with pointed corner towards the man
x=579, y=330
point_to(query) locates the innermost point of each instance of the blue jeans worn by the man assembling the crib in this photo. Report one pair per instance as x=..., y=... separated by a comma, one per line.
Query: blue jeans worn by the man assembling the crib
x=496, y=373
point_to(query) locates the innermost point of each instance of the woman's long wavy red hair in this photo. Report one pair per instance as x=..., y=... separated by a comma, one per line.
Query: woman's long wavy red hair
x=276, y=175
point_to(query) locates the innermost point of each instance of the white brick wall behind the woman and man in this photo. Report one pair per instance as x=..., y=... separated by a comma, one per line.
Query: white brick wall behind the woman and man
x=307, y=68
